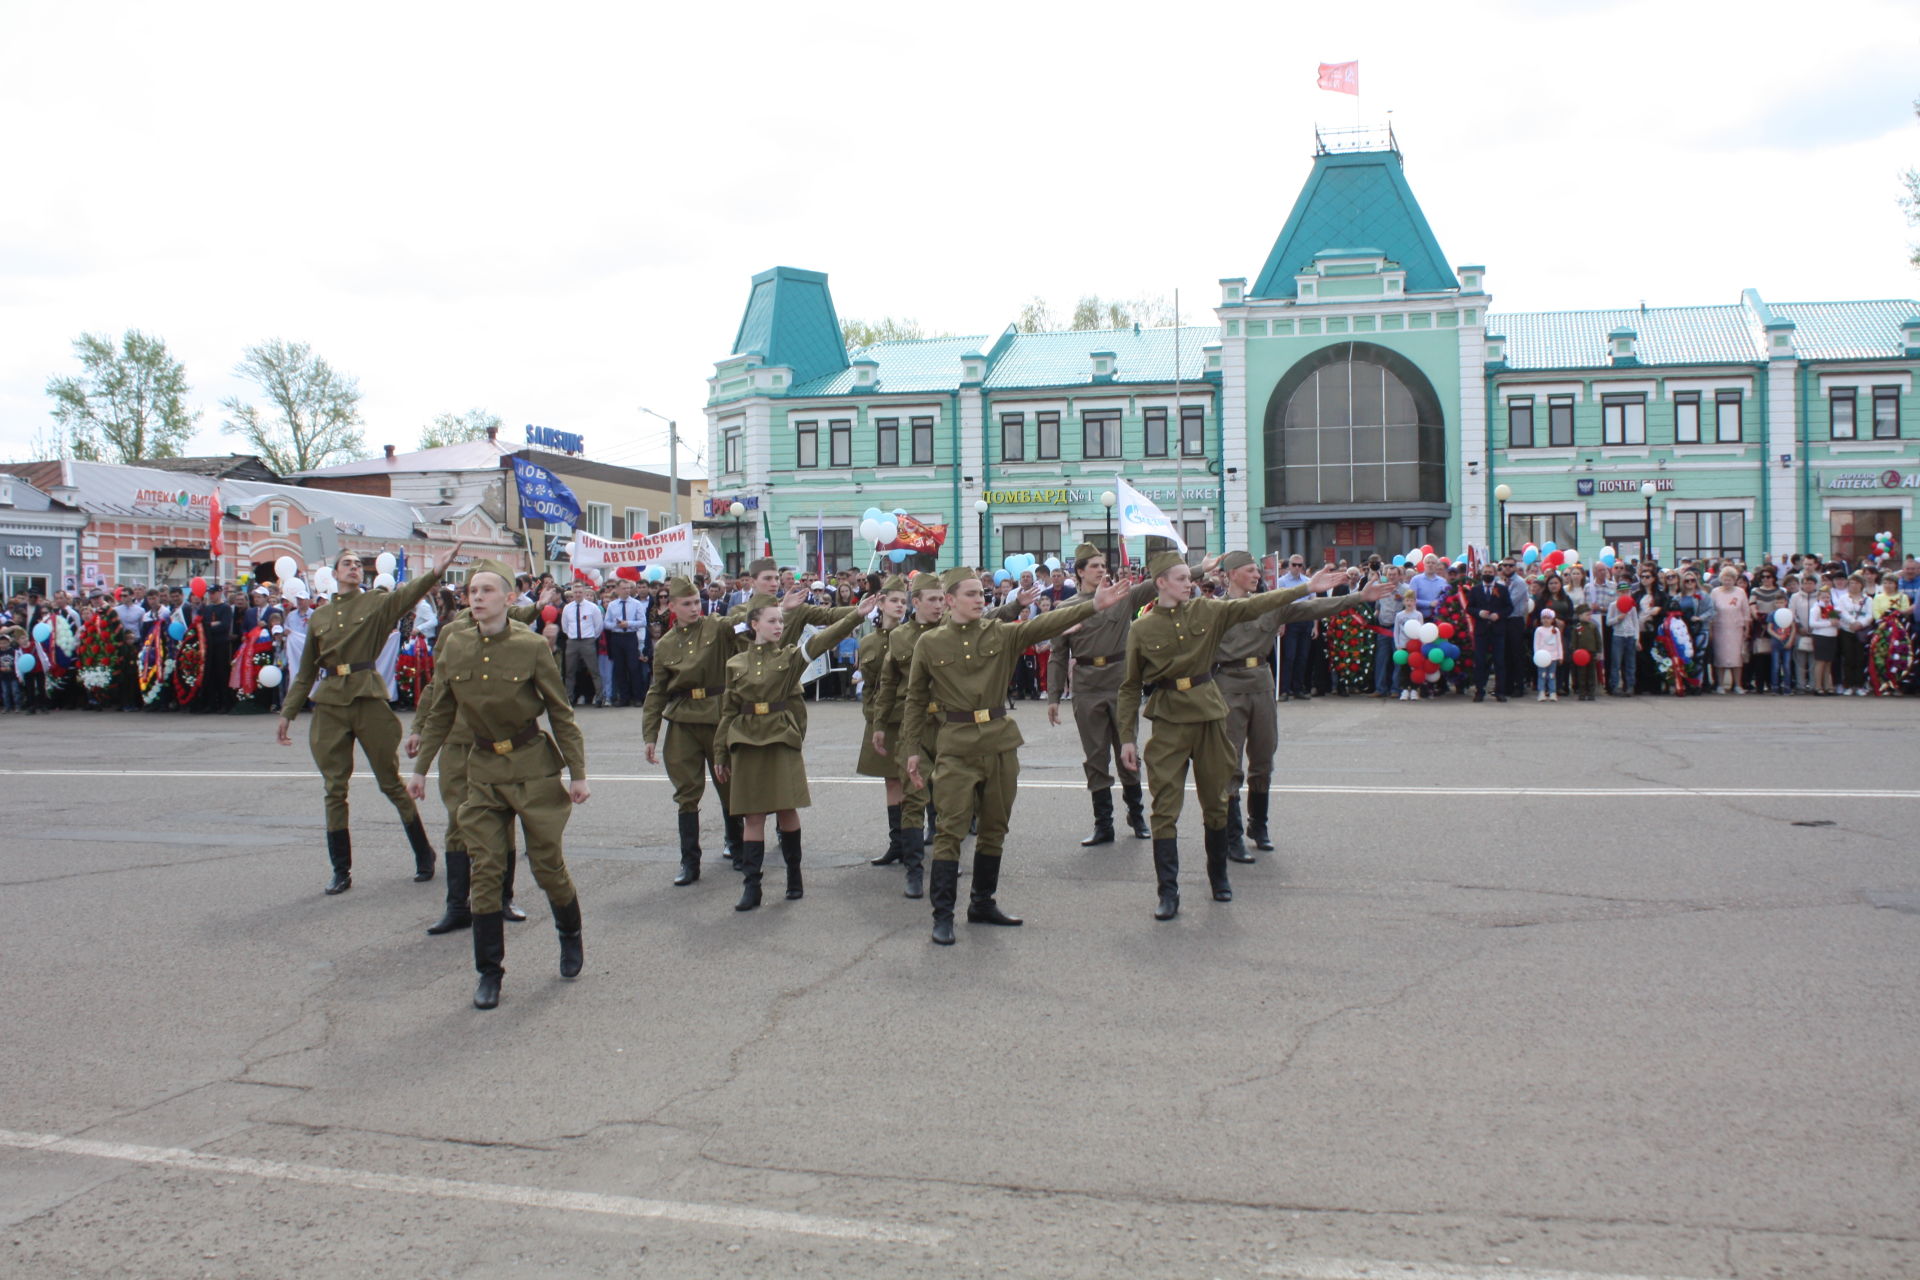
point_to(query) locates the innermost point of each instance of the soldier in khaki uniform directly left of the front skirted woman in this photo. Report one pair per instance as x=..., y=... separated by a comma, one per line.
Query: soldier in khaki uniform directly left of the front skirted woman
x=688, y=680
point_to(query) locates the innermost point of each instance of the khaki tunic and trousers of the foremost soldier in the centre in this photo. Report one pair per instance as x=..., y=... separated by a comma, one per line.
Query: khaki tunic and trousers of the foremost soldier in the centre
x=963, y=671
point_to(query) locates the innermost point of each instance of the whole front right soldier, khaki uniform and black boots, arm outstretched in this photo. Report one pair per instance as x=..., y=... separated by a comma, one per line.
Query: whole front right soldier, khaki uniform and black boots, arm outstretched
x=1170, y=661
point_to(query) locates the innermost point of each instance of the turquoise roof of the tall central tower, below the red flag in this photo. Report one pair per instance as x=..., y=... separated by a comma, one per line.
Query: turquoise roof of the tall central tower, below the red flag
x=1356, y=199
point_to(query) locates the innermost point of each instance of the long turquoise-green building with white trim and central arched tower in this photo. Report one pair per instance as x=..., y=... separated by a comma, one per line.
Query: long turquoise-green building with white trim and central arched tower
x=1355, y=398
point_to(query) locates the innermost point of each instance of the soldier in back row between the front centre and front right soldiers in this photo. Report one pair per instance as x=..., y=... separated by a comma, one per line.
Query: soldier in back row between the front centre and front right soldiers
x=1099, y=652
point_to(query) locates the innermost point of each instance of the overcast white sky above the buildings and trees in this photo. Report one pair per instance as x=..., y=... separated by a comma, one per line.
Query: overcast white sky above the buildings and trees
x=552, y=212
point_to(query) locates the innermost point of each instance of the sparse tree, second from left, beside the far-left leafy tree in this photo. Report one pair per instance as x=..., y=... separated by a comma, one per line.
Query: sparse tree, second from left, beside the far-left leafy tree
x=312, y=415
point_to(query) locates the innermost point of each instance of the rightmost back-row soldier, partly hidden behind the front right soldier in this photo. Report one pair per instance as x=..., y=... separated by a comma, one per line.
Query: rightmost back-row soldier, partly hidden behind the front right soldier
x=1247, y=684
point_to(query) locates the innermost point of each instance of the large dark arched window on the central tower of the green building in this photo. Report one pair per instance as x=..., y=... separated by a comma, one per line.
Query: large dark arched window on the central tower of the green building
x=1355, y=423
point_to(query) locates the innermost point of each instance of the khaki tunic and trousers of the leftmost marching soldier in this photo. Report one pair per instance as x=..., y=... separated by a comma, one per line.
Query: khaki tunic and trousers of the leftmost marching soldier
x=350, y=707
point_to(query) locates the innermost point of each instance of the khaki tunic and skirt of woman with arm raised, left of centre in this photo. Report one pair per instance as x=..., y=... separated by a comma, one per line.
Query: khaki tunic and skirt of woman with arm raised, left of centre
x=763, y=723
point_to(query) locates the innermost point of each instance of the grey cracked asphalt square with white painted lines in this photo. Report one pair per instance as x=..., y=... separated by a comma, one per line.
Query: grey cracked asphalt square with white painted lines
x=1620, y=989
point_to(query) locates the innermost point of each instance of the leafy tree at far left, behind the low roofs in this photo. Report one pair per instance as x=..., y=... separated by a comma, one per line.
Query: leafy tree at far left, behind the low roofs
x=130, y=402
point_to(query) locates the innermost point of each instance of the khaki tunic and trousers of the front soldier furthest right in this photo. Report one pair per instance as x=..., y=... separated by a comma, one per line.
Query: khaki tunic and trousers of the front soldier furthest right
x=1172, y=653
